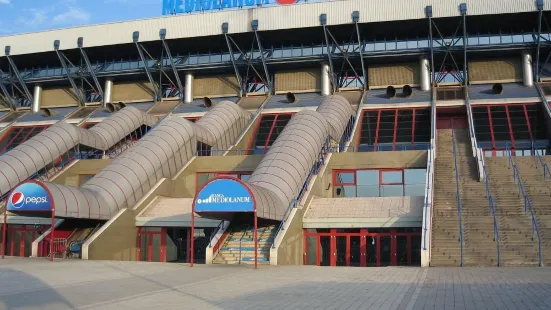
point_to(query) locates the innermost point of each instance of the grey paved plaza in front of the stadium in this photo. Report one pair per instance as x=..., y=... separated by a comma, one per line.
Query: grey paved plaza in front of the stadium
x=39, y=284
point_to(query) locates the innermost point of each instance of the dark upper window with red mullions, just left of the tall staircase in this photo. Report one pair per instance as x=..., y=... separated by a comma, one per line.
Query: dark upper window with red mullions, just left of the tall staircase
x=394, y=130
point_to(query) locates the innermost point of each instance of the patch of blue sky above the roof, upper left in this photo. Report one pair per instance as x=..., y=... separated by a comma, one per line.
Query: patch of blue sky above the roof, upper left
x=18, y=16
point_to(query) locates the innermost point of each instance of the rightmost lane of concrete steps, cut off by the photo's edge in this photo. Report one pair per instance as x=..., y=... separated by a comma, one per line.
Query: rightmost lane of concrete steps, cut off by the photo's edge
x=538, y=189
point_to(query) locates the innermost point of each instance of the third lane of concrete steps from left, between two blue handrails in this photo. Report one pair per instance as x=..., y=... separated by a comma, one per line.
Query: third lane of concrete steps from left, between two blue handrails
x=518, y=248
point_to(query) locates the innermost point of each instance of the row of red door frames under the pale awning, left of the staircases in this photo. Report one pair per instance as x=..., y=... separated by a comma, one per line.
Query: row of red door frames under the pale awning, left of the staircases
x=363, y=234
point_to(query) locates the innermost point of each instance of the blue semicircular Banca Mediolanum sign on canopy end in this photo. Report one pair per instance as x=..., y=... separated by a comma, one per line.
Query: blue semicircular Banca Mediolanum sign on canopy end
x=224, y=195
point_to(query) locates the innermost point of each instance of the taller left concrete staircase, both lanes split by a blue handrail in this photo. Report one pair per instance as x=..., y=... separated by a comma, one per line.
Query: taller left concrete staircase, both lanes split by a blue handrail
x=479, y=246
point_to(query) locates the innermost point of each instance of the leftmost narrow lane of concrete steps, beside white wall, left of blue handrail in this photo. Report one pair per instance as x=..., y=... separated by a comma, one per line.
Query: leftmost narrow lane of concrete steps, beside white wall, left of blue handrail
x=445, y=244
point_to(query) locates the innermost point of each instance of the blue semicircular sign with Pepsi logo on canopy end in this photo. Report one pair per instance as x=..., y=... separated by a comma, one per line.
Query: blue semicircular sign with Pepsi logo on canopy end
x=29, y=196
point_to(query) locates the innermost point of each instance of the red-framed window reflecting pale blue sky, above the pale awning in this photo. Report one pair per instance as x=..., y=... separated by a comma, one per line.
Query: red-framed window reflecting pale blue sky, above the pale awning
x=379, y=183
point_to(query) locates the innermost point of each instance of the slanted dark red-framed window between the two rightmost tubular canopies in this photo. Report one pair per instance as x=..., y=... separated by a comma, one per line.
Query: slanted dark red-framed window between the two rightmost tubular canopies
x=269, y=128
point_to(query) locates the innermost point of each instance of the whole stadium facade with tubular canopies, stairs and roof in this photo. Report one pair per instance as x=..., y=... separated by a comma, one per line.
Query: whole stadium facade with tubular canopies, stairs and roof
x=337, y=133
